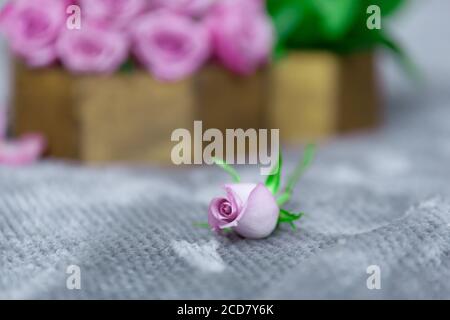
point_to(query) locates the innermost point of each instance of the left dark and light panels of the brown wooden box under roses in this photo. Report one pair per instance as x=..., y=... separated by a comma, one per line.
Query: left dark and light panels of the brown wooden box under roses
x=125, y=117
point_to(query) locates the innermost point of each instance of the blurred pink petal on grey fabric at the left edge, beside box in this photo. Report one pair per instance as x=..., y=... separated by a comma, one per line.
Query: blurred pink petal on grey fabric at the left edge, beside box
x=23, y=151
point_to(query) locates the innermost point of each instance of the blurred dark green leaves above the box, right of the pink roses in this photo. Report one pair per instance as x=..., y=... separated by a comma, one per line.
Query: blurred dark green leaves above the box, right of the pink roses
x=336, y=25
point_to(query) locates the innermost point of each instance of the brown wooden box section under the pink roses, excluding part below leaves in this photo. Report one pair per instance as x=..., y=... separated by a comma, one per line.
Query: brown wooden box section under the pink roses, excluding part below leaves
x=130, y=116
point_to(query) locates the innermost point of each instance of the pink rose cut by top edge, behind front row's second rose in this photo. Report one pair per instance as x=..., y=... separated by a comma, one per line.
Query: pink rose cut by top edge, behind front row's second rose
x=112, y=13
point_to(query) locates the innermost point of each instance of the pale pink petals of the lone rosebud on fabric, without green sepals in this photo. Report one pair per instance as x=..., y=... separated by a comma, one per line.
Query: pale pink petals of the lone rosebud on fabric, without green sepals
x=249, y=209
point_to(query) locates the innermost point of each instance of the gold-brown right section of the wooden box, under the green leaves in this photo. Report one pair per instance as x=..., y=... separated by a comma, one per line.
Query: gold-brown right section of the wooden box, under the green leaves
x=317, y=95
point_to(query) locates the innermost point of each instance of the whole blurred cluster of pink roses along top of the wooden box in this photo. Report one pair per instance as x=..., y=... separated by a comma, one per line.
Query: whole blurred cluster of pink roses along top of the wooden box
x=170, y=38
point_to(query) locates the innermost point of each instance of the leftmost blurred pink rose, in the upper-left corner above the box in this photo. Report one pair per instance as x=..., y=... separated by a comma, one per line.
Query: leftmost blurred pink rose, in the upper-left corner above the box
x=32, y=28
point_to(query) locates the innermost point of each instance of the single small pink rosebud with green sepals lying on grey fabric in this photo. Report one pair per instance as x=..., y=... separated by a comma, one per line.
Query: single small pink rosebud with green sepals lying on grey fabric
x=254, y=210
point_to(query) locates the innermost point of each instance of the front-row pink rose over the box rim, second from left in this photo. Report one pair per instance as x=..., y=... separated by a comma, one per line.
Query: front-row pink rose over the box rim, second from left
x=92, y=49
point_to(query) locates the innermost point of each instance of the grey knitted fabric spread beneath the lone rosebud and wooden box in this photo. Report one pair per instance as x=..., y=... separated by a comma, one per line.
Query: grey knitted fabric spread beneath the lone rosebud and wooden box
x=382, y=198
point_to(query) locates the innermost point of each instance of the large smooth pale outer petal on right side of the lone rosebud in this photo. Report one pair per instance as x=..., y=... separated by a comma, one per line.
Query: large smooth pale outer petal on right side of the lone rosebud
x=260, y=215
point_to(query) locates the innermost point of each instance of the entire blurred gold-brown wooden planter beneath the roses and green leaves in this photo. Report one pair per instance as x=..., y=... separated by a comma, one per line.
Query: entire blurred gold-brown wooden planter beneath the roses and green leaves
x=130, y=116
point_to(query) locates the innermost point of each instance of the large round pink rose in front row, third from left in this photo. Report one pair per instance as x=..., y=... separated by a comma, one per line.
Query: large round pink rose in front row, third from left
x=169, y=45
